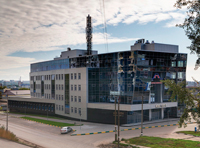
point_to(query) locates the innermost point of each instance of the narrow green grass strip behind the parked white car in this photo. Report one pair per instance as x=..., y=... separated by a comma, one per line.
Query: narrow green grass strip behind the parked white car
x=60, y=124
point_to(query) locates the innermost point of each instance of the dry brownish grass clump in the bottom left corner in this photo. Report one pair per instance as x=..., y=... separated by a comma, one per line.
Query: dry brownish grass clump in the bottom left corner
x=7, y=134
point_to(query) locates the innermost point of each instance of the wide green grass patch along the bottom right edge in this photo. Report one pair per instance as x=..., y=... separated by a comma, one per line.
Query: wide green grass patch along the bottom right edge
x=157, y=142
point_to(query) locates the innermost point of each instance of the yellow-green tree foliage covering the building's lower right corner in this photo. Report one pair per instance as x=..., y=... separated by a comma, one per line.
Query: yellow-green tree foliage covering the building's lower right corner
x=191, y=100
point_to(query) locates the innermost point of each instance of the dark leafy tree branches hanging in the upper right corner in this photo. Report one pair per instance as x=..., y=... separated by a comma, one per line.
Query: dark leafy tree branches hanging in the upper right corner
x=191, y=25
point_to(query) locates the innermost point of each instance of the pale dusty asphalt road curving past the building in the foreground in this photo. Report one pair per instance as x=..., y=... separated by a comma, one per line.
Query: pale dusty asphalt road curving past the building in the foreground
x=50, y=137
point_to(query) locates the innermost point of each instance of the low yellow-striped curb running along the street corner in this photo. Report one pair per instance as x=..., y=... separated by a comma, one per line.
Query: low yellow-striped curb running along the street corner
x=103, y=132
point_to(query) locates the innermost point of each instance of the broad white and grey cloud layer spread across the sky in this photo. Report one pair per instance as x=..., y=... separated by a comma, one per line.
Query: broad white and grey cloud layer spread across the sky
x=37, y=25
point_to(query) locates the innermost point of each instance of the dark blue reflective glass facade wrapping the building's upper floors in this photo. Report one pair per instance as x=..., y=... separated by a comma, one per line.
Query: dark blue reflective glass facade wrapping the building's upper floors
x=128, y=74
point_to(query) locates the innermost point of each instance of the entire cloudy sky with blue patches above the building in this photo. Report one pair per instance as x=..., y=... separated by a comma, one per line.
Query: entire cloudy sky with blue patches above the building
x=38, y=30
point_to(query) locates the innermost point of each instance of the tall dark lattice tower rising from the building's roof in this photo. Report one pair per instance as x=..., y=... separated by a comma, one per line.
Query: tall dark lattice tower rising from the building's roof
x=89, y=35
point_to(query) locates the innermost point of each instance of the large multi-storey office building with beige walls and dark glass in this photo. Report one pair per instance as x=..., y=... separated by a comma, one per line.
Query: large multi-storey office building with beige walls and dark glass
x=77, y=85
